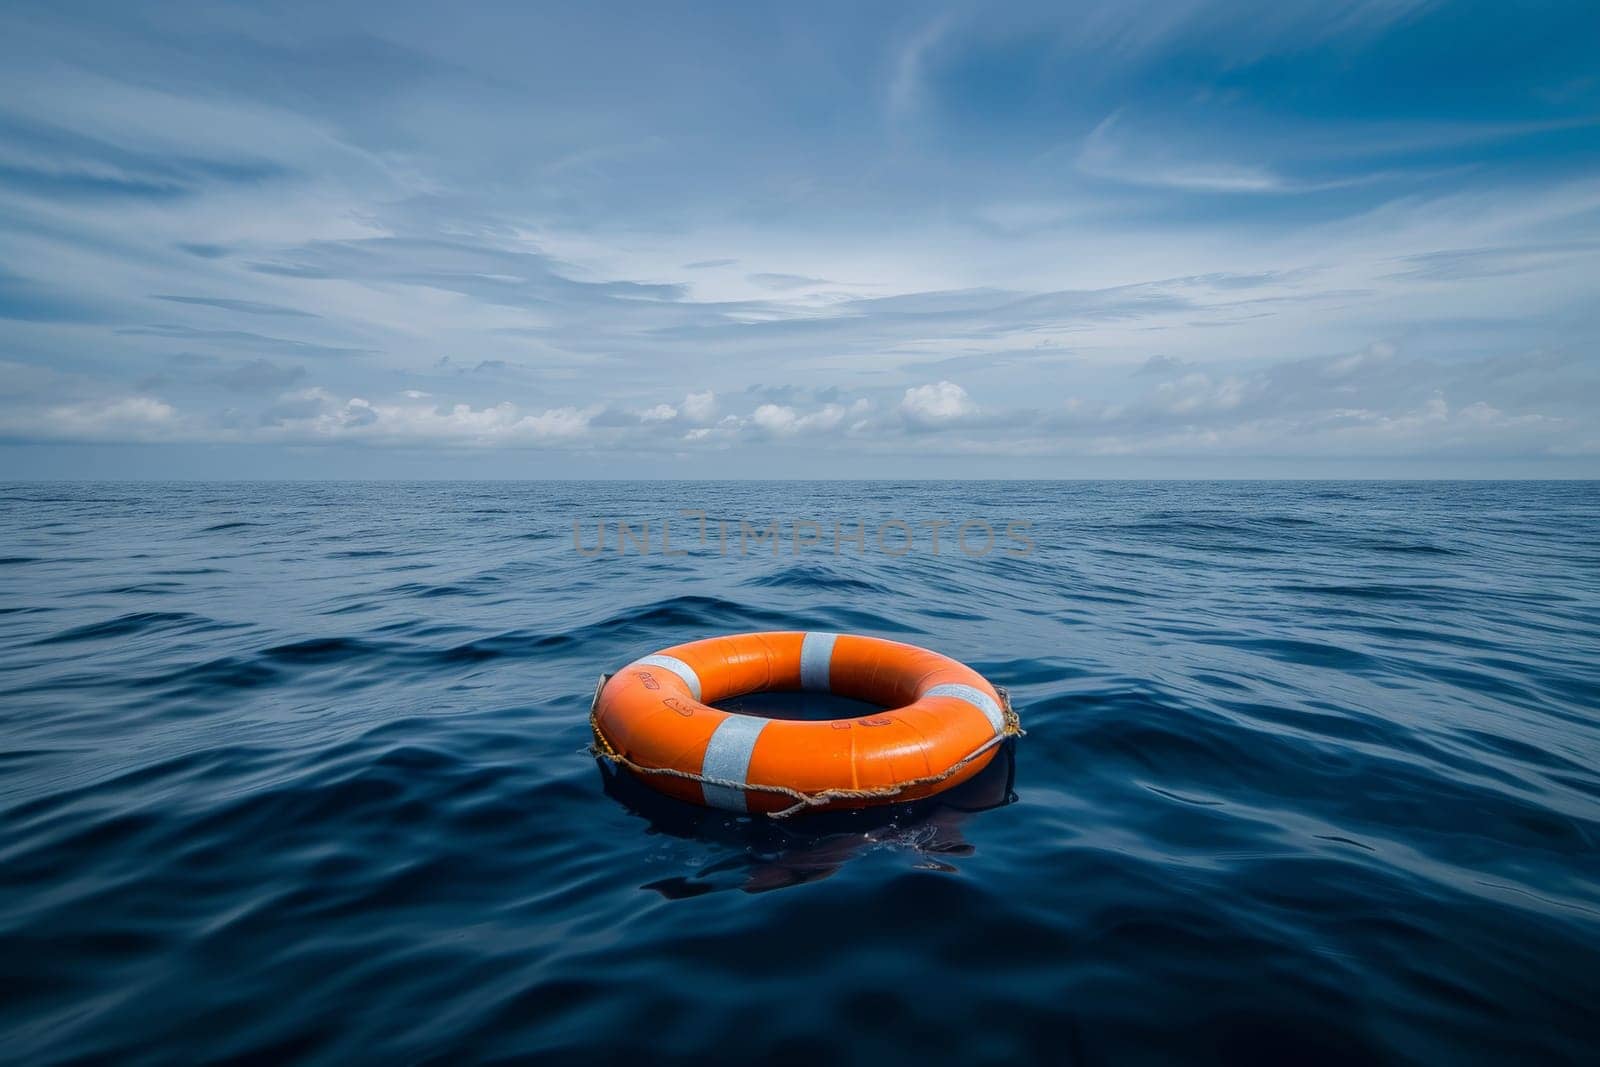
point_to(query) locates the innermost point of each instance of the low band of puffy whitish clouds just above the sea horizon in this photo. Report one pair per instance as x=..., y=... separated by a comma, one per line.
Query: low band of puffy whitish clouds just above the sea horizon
x=1372, y=402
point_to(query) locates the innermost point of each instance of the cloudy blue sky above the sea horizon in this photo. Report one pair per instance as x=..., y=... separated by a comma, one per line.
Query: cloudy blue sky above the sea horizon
x=542, y=241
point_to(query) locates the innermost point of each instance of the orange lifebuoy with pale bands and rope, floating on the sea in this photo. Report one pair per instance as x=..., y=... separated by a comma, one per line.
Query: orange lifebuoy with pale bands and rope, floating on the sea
x=943, y=722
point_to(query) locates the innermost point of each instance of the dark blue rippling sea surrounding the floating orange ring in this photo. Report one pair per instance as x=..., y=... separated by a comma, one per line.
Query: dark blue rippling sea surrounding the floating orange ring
x=298, y=773
